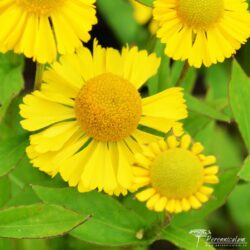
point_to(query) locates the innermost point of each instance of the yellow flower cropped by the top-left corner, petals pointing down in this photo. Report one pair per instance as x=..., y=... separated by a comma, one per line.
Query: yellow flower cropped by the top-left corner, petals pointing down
x=41, y=28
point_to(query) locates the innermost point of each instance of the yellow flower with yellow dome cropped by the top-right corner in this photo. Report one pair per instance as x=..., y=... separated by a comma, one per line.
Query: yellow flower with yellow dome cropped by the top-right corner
x=202, y=31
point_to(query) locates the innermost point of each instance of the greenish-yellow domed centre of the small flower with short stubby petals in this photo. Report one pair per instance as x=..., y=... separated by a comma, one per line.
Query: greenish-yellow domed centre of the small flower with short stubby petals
x=177, y=173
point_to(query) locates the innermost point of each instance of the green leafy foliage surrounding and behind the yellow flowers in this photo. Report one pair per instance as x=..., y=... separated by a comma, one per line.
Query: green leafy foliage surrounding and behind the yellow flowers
x=33, y=206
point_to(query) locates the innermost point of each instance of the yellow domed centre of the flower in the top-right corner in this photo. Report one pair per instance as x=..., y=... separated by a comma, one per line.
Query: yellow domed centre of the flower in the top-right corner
x=200, y=13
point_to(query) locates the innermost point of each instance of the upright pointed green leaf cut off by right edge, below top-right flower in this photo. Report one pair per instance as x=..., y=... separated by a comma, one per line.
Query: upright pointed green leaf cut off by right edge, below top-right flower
x=239, y=93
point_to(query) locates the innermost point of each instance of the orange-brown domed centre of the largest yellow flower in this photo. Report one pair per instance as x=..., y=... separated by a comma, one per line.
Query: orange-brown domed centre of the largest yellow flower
x=108, y=108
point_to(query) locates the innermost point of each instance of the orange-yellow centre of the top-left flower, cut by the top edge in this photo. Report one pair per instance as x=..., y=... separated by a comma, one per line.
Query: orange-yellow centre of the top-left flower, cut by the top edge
x=40, y=7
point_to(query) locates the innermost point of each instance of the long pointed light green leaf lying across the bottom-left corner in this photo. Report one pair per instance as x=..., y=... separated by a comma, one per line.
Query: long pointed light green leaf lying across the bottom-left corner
x=37, y=221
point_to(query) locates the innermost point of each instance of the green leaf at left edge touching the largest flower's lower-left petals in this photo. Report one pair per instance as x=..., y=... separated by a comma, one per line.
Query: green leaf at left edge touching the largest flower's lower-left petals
x=11, y=152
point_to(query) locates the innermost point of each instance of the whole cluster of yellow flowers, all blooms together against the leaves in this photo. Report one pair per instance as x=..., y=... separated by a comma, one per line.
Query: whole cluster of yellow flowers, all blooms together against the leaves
x=88, y=120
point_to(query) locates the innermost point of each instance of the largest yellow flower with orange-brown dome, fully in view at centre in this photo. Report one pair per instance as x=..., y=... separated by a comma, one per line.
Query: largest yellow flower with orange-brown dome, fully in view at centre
x=87, y=114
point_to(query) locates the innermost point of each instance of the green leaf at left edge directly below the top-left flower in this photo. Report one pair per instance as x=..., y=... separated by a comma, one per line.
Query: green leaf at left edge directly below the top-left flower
x=11, y=79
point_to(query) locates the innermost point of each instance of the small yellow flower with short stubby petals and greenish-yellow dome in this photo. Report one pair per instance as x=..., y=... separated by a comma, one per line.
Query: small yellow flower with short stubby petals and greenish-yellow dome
x=174, y=174
